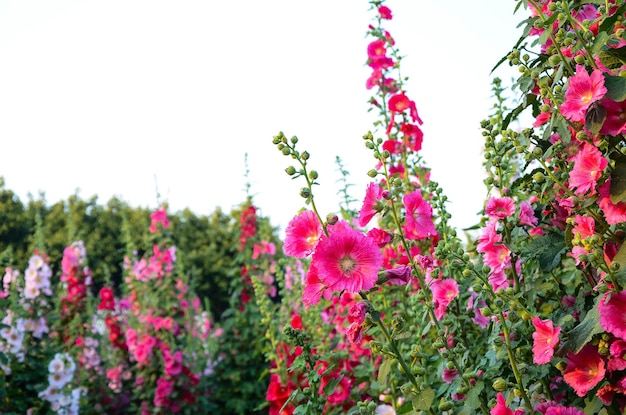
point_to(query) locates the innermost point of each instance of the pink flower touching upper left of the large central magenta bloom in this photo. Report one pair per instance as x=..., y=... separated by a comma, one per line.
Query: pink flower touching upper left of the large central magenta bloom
x=302, y=234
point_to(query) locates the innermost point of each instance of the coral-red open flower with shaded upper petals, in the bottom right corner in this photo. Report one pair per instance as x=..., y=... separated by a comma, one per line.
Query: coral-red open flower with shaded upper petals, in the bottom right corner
x=584, y=370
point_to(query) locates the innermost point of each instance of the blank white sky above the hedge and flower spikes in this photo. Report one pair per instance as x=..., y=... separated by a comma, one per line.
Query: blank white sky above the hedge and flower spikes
x=102, y=96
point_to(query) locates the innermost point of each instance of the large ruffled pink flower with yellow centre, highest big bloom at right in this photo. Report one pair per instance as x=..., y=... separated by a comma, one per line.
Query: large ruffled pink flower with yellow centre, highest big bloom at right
x=582, y=91
